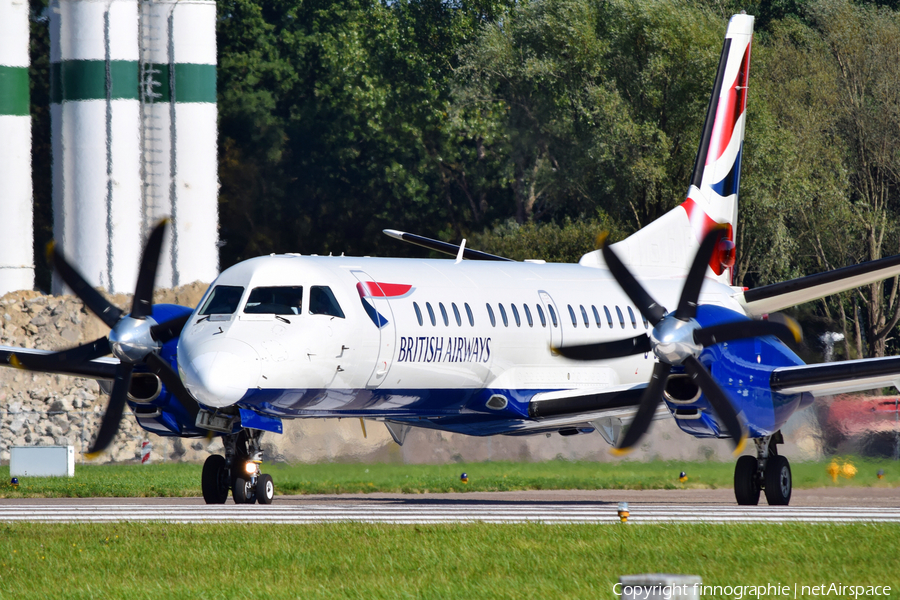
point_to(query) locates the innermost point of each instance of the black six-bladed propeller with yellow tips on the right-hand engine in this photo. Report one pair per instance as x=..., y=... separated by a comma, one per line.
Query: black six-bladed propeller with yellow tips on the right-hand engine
x=677, y=339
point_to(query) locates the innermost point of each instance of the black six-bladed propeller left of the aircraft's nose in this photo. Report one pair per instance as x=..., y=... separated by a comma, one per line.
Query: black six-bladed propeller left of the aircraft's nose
x=134, y=339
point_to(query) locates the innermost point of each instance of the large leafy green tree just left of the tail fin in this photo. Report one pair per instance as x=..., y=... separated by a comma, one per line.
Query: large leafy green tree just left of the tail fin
x=592, y=105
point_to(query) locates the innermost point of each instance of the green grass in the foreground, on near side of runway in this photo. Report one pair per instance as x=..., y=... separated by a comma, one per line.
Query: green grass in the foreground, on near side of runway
x=349, y=560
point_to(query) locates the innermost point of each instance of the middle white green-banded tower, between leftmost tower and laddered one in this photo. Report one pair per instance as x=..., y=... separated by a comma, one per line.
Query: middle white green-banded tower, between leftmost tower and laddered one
x=95, y=128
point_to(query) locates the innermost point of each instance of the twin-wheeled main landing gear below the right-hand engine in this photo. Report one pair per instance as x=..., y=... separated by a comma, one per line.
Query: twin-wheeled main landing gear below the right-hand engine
x=769, y=471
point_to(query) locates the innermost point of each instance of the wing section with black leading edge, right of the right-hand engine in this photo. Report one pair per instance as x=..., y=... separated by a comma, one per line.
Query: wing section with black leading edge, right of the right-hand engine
x=826, y=379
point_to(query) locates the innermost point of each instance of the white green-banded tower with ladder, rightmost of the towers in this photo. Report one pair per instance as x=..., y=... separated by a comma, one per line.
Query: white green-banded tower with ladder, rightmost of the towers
x=179, y=130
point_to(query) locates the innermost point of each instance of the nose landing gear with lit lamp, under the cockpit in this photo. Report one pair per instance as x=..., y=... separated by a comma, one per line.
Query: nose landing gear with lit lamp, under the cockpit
x=238, y=471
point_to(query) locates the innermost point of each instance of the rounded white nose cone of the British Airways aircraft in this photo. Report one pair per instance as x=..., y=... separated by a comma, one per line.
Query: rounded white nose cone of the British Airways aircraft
x=219, y=372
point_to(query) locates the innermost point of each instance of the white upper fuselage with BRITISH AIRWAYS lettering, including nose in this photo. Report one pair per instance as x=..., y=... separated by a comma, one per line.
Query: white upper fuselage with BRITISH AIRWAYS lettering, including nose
x=222, y=357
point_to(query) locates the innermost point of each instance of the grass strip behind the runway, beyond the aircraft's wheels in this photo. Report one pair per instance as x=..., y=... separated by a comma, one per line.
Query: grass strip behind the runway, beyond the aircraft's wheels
x=178, y=480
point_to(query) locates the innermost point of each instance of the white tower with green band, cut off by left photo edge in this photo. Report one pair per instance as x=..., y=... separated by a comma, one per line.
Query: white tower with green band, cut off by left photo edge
x=16, y=229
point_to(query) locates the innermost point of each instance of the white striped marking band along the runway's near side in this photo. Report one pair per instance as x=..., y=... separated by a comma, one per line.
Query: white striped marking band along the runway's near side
x=443, y=513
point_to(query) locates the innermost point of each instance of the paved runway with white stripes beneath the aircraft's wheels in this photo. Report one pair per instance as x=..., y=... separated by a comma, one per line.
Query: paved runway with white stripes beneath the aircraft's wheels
x=556, y=507
